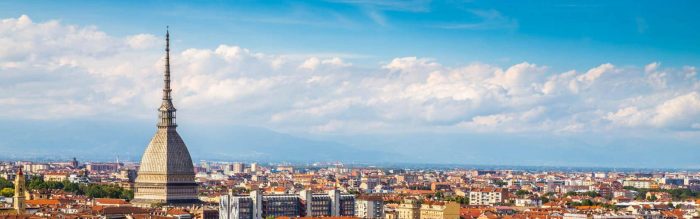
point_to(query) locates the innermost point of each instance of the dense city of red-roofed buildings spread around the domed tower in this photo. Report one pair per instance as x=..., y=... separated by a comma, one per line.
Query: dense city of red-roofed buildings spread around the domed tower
x=72, y=189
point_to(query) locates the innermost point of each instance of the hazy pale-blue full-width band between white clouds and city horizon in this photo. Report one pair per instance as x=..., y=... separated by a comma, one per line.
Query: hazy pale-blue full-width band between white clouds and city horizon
x=107, y=140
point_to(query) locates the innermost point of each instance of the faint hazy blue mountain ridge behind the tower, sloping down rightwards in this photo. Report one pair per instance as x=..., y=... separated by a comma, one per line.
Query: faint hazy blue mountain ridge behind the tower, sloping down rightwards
x=93, y=140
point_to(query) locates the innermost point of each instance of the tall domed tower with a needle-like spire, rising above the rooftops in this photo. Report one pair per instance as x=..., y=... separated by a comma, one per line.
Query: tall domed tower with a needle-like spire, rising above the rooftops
x=166, y=173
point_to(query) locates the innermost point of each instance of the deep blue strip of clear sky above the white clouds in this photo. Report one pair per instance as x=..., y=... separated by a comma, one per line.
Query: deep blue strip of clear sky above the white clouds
x=563, y=34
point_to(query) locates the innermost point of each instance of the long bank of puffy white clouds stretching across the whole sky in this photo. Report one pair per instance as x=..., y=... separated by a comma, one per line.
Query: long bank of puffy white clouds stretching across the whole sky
x=72, y=71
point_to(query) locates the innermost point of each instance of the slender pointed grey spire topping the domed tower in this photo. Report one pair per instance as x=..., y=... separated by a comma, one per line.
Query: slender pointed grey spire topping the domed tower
x=167, y=110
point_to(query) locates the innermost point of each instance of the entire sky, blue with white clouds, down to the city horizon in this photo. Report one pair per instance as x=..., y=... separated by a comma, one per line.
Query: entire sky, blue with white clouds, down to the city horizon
x=578, y=83
